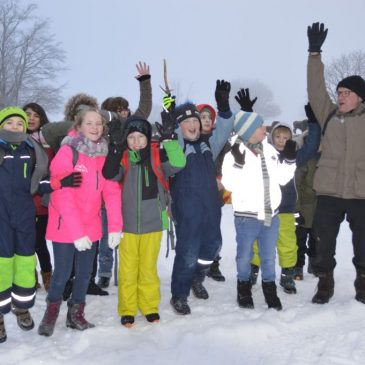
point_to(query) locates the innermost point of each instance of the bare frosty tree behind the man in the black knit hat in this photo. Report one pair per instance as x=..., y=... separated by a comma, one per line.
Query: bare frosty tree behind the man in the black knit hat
x=346, y=65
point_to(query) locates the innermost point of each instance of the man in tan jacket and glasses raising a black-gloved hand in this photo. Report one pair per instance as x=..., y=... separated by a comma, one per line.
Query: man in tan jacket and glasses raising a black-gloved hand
x=340, y=177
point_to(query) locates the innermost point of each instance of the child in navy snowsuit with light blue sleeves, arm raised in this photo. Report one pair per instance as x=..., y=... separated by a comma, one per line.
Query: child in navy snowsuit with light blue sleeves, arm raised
x=195, y=199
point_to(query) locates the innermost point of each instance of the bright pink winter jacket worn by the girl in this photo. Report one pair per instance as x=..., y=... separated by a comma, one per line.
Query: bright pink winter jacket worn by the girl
x=75, y=212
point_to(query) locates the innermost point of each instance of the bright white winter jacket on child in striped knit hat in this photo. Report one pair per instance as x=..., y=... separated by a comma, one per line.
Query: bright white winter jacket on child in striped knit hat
x=246, y=184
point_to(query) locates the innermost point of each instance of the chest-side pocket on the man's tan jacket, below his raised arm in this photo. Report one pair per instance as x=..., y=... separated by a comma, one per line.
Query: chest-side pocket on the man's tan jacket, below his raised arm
x=325, y=178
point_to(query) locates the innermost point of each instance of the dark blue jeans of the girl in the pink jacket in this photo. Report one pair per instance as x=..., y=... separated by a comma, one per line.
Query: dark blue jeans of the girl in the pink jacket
x=64, y=256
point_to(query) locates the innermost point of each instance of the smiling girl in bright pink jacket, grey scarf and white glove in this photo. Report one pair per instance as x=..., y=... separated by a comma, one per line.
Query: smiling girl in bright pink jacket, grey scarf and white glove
x=74, y=224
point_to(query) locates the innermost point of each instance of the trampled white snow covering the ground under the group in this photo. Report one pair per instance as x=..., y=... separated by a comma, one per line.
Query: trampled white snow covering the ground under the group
x=217, y=331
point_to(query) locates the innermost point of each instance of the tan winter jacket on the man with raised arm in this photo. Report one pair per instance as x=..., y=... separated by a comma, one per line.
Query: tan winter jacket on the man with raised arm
x=341, y=168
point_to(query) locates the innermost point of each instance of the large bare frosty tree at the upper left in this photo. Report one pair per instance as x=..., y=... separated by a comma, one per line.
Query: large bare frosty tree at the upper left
x=30, y=59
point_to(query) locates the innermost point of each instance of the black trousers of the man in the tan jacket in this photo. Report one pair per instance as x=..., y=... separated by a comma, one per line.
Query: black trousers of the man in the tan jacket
x=330, y=213
